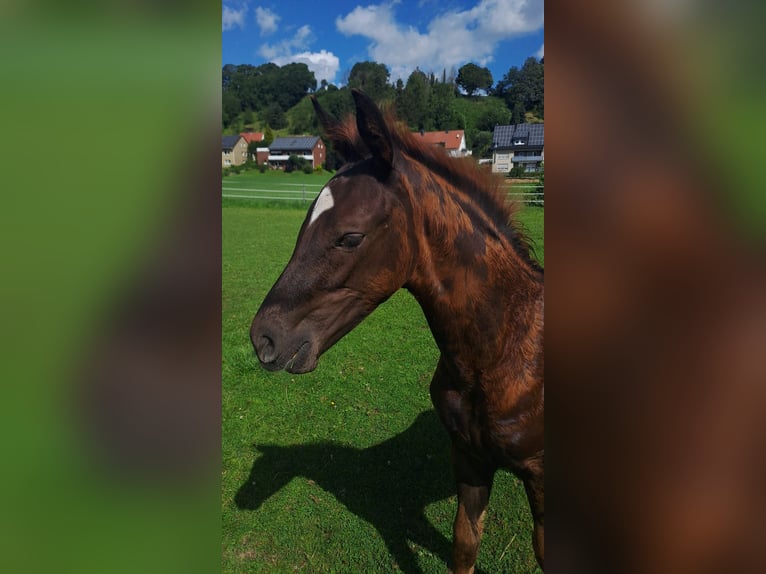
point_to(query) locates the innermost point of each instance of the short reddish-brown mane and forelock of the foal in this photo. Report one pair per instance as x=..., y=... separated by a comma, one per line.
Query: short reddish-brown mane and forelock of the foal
x=482, y=187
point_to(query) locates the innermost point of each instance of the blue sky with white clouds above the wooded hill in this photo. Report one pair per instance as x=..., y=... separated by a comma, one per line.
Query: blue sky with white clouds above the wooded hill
x=331, y=36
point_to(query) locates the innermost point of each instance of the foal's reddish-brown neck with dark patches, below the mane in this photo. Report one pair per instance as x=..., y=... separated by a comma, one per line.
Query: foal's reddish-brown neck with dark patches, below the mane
x=477, y=291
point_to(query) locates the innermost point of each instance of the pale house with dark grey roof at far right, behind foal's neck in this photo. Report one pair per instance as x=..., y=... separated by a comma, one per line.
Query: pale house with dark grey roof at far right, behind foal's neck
x=517, y=144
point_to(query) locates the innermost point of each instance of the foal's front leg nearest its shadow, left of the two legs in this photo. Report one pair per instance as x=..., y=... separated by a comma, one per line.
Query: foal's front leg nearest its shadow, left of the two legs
x=474, y=484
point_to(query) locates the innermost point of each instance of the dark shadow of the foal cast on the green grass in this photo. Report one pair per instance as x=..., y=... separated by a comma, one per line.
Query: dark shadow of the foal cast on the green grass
x=388, y=485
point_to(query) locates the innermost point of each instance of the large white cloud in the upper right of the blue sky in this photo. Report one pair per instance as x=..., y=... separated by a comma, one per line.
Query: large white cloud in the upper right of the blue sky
x=452, y=39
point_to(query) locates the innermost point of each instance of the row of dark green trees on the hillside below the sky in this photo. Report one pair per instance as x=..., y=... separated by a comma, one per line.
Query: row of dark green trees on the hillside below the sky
x=272, y=96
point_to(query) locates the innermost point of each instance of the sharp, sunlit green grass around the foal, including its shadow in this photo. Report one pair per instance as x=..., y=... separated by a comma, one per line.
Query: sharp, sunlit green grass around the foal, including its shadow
x=345, y=469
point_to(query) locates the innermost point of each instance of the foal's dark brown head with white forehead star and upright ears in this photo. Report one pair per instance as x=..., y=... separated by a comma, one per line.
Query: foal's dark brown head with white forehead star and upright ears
x=352, y=252
